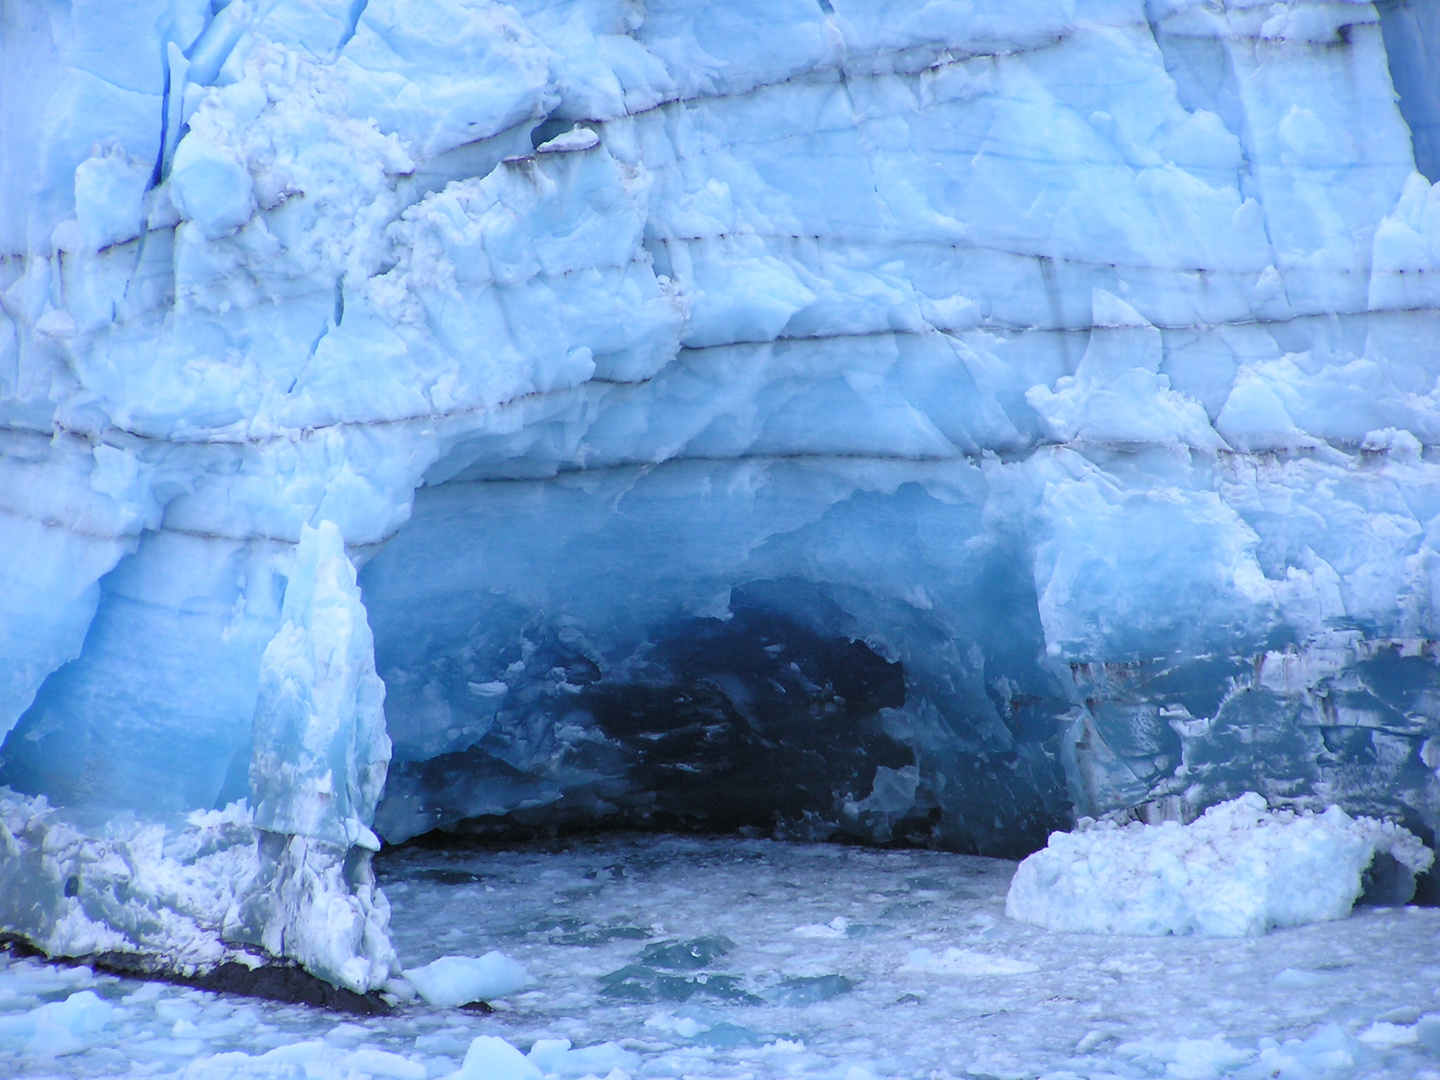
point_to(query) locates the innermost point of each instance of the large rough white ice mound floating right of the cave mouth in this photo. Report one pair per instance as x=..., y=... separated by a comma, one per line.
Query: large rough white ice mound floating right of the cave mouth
x=1239, y=870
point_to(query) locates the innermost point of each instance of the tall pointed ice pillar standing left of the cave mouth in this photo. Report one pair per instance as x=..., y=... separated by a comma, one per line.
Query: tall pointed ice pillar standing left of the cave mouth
x=316, y=775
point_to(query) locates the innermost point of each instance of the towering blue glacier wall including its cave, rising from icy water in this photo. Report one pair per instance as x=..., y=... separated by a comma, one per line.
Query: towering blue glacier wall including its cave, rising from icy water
x=878, y=420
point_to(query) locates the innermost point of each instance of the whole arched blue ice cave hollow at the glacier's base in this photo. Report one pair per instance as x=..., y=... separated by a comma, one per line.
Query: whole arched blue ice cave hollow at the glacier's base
x=620, y=653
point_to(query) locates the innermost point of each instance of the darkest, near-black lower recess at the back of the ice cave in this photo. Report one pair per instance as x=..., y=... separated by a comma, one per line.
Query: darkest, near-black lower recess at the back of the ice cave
x=755, y=725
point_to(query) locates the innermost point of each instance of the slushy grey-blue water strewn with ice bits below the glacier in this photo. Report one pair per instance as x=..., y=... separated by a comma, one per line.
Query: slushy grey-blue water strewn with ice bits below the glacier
x=739, y=958
